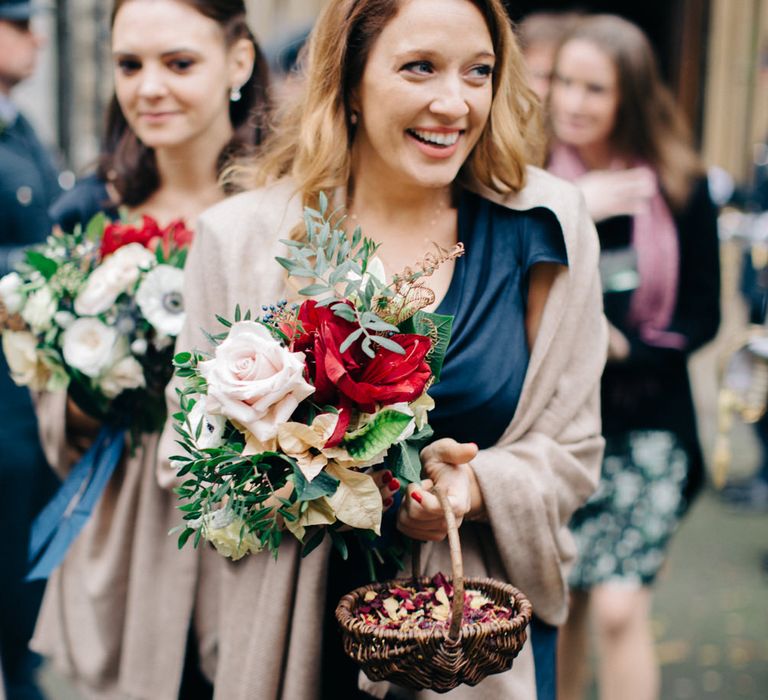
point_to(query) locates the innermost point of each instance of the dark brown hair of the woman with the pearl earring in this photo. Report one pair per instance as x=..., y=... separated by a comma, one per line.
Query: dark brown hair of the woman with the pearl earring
x=131, y=167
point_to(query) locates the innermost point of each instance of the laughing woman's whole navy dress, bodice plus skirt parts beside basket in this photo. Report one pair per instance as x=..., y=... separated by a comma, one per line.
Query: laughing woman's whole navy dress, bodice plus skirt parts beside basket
x=479, y=388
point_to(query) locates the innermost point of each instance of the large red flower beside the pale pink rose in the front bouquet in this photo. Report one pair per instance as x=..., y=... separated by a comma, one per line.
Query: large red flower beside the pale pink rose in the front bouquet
x=351, y=378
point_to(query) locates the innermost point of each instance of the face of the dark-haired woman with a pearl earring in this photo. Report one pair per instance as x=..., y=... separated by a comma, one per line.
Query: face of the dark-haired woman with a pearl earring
x=173, y=73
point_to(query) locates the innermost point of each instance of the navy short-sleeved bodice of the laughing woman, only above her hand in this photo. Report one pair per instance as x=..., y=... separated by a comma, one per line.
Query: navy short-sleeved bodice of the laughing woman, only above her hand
x=487, y=356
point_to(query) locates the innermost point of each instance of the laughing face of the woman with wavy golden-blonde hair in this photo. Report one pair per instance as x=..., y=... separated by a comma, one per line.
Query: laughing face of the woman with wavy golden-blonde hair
x=425, y=94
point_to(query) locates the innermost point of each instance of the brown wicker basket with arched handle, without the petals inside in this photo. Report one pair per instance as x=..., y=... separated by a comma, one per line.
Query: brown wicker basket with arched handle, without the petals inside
x=437, y=659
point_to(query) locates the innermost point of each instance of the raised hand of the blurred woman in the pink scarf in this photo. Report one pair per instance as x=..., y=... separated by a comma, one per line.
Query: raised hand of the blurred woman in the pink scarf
x=615, y=193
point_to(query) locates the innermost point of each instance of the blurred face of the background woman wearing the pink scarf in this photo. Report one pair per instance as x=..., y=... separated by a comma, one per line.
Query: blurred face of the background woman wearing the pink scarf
x=584, y=96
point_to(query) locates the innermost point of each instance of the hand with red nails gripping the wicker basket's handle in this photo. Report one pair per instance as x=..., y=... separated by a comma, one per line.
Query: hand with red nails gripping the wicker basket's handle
x=446, y=465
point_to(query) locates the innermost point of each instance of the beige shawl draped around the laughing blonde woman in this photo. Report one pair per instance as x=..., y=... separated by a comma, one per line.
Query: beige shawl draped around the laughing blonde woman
x=544, y=467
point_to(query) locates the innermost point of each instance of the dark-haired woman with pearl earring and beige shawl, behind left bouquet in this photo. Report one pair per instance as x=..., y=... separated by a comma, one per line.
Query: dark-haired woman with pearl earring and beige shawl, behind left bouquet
x=126, y=614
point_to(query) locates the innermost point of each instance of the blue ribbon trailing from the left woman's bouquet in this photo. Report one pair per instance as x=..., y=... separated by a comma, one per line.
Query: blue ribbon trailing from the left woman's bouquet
x=59, y=523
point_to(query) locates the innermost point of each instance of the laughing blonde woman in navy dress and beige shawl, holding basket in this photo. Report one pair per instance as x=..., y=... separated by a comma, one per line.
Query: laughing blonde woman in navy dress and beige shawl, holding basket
x=415, y=117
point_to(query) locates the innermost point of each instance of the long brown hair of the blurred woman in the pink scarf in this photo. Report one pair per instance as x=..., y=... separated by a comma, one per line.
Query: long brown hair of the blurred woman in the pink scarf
x=648, y=125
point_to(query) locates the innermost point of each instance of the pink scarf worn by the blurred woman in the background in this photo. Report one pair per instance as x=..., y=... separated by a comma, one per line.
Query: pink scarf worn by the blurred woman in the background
x=654, y=237
